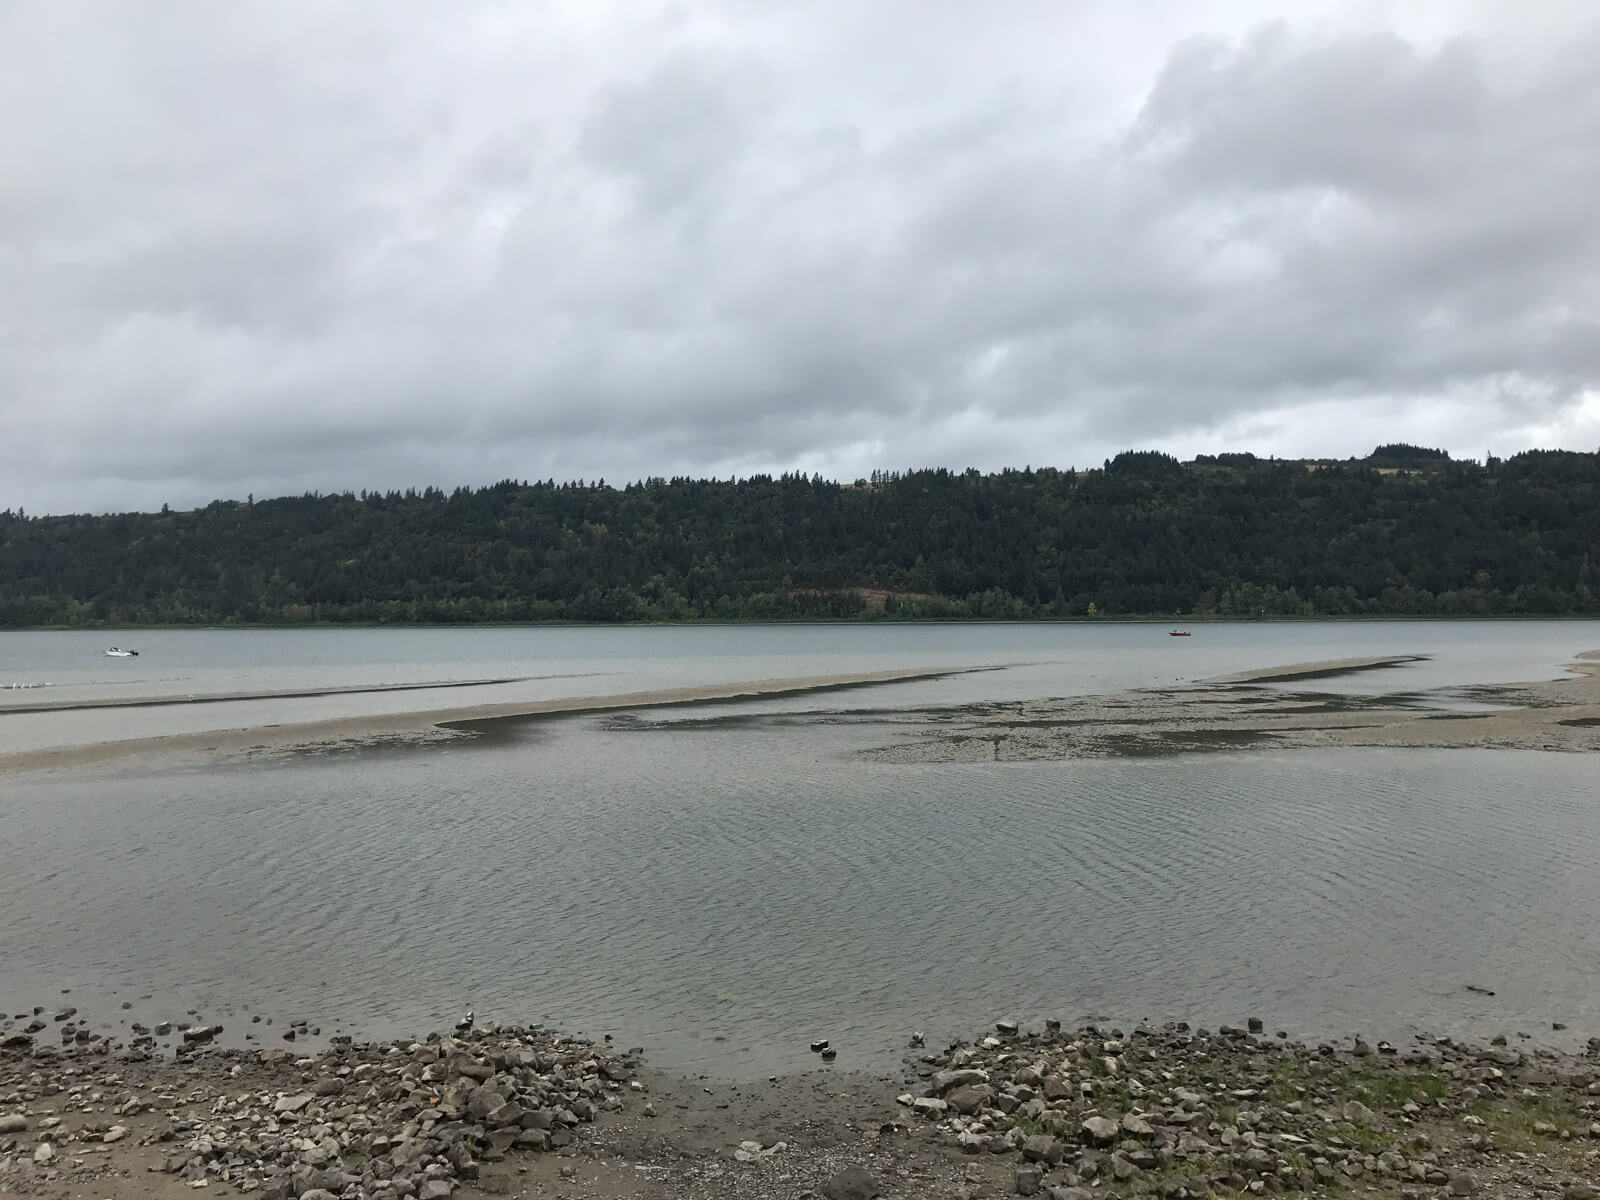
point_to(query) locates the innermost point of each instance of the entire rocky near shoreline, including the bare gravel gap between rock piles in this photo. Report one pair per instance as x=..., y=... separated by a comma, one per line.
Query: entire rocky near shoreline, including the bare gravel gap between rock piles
x=1063, y=1116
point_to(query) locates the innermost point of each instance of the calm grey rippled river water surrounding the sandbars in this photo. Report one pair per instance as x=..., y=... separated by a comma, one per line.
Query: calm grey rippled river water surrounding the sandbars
x=722, y=892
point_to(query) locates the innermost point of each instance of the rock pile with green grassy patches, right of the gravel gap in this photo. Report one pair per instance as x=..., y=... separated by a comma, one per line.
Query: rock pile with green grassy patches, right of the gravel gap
x=1183, y=1114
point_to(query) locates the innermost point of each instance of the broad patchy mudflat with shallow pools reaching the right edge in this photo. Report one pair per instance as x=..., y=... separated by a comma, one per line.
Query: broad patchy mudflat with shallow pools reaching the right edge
x=1246, y=713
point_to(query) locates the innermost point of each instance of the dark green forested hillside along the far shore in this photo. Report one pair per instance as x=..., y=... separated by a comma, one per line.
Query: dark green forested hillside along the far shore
x=1146, y=535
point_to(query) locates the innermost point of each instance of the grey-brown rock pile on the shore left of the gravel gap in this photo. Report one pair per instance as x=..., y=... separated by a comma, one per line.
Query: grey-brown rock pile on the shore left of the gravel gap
x=372, y=1122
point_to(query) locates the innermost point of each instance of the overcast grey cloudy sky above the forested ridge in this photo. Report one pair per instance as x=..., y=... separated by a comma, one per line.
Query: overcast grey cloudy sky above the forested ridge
x=303, y=246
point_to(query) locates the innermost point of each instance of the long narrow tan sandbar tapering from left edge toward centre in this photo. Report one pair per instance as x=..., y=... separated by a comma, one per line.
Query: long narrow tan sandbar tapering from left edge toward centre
x=441, y=724
